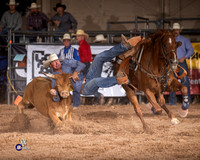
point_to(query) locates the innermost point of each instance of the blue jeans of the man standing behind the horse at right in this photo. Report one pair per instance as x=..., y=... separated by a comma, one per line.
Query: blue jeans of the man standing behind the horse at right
x=185, y=81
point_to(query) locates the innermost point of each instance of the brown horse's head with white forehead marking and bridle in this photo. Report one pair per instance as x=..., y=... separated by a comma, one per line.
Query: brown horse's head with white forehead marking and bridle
x=168, y=46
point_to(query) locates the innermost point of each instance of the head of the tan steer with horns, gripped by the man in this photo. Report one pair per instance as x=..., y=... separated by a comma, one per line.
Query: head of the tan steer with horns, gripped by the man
x=63, y=83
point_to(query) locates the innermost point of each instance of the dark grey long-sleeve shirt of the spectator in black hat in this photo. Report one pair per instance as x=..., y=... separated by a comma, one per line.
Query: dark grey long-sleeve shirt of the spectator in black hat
x=67, y=21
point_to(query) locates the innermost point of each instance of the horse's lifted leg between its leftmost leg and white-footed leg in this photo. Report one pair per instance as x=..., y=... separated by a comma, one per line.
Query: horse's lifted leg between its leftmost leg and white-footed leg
x=152, y=99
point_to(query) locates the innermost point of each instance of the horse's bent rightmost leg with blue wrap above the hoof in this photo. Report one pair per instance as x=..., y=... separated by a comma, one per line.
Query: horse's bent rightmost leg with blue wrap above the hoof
x=175, y=85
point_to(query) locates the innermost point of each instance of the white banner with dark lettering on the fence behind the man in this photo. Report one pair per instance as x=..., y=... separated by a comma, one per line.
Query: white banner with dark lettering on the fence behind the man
x=37, y=54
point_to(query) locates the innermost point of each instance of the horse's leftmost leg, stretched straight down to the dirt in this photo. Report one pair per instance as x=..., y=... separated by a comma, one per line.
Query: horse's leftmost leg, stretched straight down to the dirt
x=133, y=98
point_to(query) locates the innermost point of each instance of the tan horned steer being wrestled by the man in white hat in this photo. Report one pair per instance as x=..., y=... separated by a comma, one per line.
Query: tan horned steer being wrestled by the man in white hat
x=37, y=94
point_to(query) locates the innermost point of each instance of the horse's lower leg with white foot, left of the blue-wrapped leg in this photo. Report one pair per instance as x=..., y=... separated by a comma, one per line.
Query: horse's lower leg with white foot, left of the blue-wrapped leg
x=162, y=103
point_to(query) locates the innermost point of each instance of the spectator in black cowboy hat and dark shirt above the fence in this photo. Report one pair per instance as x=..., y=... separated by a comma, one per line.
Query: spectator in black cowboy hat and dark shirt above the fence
x=64, y=20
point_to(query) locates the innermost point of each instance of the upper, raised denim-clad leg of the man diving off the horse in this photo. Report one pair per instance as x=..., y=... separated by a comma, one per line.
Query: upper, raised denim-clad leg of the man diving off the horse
x=105, y=56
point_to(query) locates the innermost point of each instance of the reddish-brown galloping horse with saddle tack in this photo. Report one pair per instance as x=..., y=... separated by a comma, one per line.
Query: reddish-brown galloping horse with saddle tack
x=154, y=74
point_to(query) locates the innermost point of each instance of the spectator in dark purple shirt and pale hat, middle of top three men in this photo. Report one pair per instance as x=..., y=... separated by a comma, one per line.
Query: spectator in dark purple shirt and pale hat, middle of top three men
x=36, y=21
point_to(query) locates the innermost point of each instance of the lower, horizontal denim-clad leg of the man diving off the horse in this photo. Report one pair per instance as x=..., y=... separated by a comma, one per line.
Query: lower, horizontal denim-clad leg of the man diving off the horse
x=91, y=88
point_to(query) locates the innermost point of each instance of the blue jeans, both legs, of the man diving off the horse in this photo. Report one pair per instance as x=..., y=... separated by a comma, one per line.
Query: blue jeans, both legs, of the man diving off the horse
x=94, y=81
